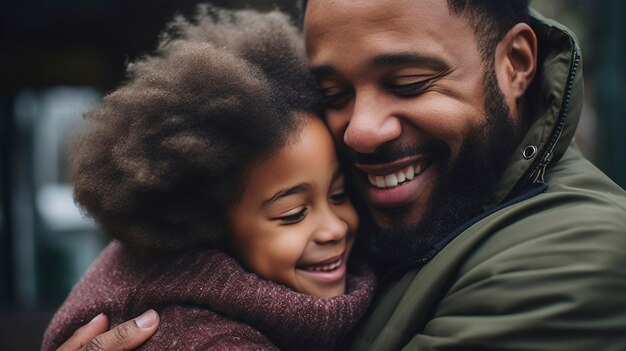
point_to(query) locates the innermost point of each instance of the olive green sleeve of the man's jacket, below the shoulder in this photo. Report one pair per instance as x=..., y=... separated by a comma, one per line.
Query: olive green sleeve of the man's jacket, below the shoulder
x=562, y=289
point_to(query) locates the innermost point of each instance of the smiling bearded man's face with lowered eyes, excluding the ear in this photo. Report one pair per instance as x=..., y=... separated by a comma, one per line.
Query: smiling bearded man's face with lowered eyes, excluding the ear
x=404, y=86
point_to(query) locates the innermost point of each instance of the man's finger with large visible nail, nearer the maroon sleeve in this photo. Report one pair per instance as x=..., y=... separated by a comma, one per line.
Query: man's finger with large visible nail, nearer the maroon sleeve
x=127, y=335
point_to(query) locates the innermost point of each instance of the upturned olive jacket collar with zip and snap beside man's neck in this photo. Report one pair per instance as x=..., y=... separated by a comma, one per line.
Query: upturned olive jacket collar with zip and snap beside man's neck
x=556, y=100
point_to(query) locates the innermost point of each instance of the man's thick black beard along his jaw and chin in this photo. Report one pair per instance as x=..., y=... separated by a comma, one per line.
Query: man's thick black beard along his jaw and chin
x=460, y=194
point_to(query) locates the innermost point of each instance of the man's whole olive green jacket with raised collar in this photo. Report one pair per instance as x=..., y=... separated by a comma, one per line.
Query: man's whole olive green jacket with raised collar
x=545, y=267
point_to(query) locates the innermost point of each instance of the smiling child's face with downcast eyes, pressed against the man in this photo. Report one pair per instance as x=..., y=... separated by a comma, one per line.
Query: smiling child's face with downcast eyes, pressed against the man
x=294, y=223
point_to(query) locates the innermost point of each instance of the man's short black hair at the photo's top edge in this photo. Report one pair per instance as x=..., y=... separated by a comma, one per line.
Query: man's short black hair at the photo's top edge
x=491, y=19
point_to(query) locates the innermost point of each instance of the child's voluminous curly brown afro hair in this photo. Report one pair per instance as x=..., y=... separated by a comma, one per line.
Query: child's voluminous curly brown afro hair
x=165, y=155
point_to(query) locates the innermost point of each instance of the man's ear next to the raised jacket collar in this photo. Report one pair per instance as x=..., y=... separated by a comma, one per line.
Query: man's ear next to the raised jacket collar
x=516, y=61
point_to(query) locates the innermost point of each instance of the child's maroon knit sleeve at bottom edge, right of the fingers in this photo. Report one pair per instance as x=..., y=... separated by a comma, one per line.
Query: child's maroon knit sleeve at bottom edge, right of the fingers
x=192, y=328
